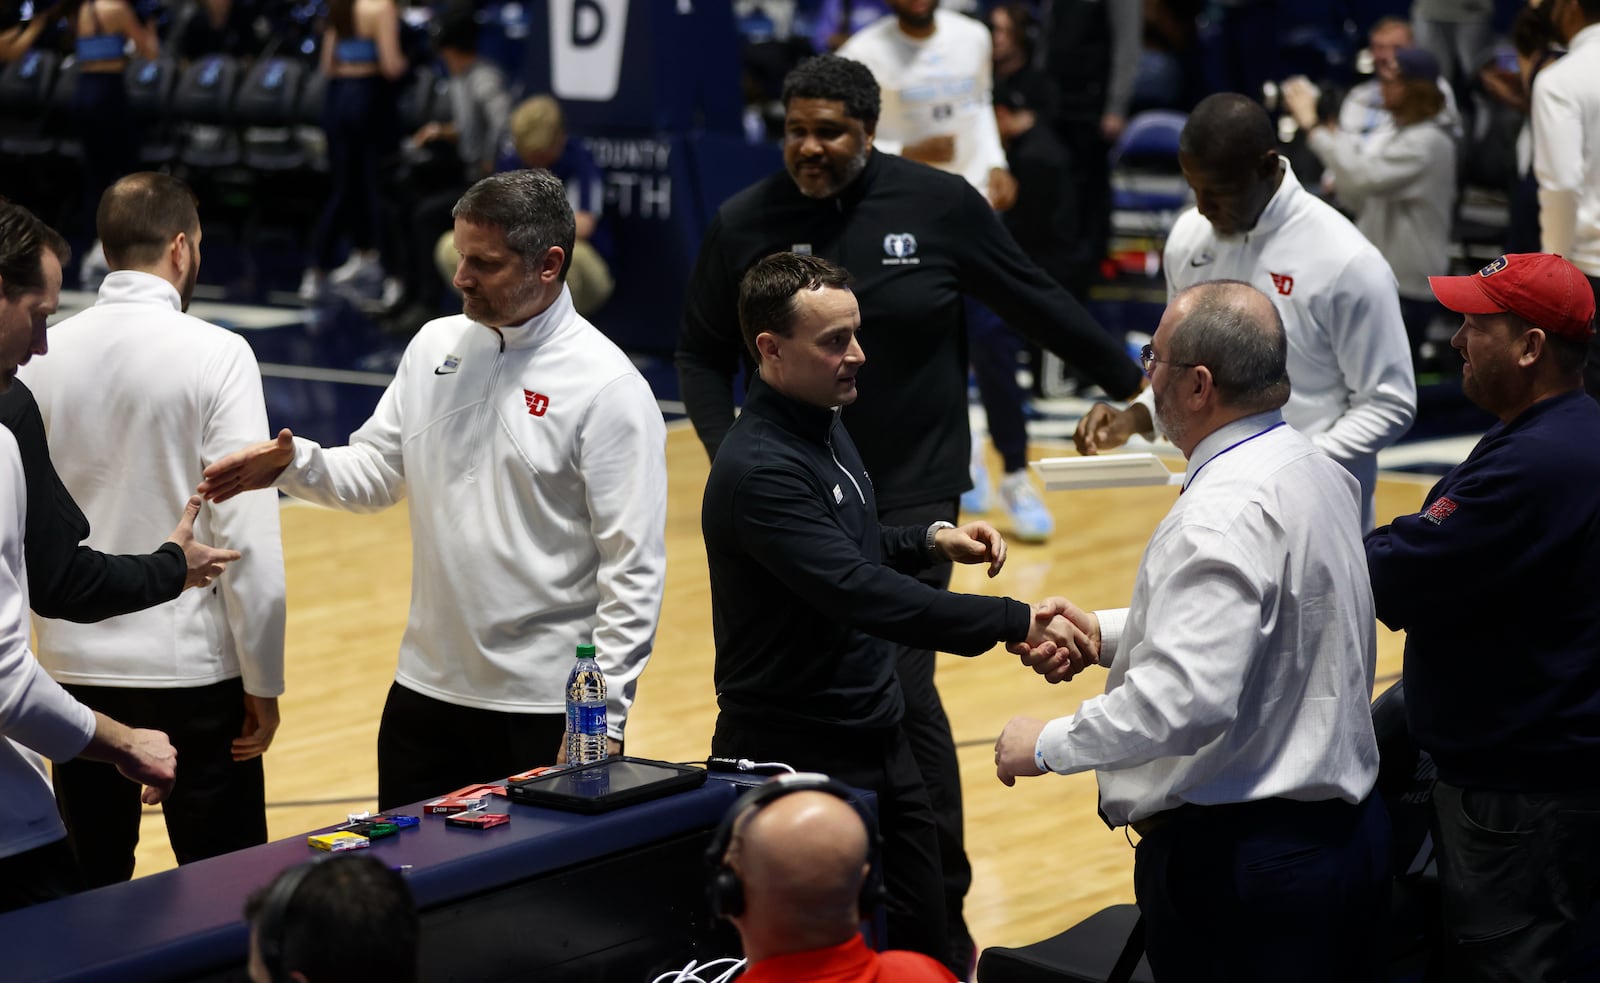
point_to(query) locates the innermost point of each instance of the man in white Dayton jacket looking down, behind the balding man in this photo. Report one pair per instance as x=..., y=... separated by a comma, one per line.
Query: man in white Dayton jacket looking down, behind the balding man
x=1354, y=391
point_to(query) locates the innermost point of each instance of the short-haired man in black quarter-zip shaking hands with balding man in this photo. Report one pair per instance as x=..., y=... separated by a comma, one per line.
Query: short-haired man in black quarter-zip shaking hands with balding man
x=810, y=593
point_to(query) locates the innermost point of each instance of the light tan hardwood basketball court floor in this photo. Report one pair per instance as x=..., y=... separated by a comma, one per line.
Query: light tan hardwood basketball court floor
x=1042, y=861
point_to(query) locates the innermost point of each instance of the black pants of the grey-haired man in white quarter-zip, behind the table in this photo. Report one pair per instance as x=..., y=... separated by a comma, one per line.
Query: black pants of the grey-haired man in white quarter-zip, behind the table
x=428, y=747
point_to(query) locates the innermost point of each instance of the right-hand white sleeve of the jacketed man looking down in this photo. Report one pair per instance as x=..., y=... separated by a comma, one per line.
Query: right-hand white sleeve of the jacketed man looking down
x=1362, y=318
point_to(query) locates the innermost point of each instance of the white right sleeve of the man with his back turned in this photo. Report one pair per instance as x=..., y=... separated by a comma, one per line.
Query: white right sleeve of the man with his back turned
x=254, y=590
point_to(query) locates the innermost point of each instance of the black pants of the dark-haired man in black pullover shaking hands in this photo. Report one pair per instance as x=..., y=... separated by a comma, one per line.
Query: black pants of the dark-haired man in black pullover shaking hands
x=881, y=761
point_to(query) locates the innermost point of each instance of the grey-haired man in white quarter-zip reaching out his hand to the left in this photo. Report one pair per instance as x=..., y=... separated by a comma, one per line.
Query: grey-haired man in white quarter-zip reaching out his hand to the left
x=535, y=460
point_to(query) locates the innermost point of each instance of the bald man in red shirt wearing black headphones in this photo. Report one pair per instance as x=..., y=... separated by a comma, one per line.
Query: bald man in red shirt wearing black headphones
x=794, y=873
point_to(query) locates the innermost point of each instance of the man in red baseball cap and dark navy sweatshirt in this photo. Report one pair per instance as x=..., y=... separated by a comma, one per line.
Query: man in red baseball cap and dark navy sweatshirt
x=1494, y=584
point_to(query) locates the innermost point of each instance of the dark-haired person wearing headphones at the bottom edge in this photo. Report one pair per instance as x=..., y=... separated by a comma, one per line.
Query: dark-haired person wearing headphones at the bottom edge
x=345, y=918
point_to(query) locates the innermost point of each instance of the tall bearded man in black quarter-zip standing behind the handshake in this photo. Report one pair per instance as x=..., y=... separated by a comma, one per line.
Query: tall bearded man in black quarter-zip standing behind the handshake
x=916, y=241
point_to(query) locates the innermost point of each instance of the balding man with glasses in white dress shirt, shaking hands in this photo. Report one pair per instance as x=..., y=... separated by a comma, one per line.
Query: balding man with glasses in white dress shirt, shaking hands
x=1234, y=734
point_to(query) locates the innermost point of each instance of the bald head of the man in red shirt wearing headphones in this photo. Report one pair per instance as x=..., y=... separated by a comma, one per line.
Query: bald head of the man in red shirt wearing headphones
x=802, y=862
